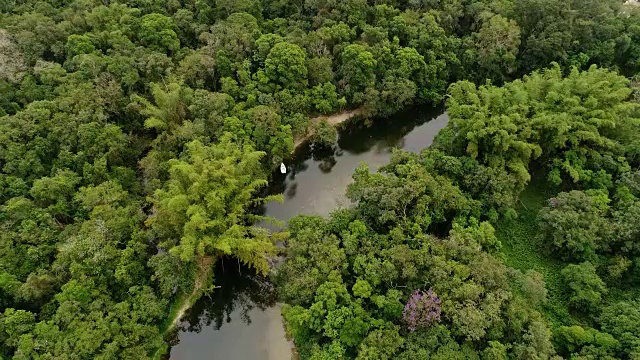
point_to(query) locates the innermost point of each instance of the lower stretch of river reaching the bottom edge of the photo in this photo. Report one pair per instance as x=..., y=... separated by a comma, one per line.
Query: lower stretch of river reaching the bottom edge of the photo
x=239, y=320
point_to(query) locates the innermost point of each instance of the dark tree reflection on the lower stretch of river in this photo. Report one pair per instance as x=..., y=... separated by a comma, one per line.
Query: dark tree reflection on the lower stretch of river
x=240, y=290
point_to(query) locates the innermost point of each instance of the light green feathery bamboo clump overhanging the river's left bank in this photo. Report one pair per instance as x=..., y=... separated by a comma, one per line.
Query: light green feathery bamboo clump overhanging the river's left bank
x=209, y=219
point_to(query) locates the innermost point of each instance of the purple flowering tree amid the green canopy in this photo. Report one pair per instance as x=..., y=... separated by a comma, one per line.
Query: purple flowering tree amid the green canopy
x=422, y=310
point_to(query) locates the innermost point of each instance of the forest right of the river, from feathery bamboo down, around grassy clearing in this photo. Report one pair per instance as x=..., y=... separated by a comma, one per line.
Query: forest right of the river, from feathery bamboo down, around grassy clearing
x=414, y=270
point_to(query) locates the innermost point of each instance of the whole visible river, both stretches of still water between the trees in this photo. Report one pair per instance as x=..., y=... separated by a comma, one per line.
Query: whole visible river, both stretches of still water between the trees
x=241, y=320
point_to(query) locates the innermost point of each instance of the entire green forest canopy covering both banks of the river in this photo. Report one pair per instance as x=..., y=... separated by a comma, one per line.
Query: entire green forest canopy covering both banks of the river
x=136, y=138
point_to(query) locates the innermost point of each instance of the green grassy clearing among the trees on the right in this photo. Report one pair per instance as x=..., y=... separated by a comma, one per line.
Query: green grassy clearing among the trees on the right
x=524, y=250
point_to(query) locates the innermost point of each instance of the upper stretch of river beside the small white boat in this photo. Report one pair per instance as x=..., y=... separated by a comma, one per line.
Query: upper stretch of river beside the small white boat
x=318, y=178
